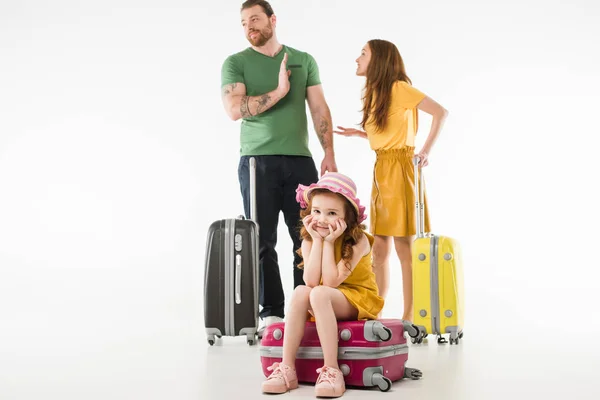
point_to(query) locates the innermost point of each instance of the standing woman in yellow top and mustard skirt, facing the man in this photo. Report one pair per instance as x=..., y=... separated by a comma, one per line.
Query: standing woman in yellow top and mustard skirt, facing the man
x=390, y=122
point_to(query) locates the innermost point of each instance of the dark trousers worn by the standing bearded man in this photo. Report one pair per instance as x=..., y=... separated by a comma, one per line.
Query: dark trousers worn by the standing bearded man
x=277, y=178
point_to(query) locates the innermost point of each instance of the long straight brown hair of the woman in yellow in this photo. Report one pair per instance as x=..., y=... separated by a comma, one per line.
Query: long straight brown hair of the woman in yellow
x=385, y=68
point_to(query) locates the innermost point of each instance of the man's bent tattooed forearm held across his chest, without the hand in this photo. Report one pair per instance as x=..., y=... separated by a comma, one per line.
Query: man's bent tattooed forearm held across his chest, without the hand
x=240, y=105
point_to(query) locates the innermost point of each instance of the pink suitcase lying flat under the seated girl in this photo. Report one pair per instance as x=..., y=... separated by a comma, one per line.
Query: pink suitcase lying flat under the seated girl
x=370, y=353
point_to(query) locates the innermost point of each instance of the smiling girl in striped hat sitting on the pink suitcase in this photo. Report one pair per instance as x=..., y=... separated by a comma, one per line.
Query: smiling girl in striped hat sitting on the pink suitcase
x=340, y=283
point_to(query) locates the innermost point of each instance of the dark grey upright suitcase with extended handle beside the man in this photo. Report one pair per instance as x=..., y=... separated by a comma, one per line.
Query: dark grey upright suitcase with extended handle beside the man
x=231, y=274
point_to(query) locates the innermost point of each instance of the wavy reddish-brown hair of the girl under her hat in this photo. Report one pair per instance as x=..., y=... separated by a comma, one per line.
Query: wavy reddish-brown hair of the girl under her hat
x=350, y=237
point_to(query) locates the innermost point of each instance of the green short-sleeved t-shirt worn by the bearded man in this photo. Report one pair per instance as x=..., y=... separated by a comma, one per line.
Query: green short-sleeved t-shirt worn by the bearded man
x=282, y=129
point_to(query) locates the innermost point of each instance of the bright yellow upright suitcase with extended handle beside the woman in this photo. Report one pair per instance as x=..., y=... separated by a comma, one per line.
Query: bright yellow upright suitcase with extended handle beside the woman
x=438, y=294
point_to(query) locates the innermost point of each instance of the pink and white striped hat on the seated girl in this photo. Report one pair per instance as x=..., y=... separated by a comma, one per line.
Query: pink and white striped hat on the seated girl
x=336, y=183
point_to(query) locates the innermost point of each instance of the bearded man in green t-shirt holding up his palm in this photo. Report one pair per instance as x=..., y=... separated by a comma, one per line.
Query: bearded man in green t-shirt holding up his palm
x=266, y=85
